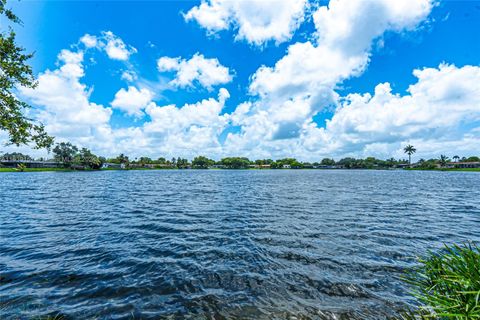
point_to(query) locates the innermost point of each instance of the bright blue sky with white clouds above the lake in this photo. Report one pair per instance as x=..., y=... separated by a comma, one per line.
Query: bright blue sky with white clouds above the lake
x=255, y=78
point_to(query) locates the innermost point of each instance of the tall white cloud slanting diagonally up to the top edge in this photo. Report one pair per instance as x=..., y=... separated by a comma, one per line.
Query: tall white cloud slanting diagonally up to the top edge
x=303, y=82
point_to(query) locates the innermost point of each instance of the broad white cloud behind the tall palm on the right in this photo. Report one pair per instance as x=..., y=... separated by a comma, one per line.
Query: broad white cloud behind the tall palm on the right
x=440, y=108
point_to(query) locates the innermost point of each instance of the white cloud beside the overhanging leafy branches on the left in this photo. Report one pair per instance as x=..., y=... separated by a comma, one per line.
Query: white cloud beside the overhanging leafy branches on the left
x=64, y=105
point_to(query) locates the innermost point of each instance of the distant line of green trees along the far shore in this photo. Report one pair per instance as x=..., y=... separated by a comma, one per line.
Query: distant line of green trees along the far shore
x=71, y=156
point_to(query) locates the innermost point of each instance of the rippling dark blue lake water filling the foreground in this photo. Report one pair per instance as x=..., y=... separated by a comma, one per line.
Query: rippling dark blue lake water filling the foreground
x=223, y=244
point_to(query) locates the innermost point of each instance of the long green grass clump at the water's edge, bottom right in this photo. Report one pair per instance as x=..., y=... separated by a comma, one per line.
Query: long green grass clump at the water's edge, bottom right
x=447, y=284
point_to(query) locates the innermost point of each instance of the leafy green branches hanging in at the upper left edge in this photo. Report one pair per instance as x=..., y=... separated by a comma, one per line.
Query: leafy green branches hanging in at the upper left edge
x=15, y=72
